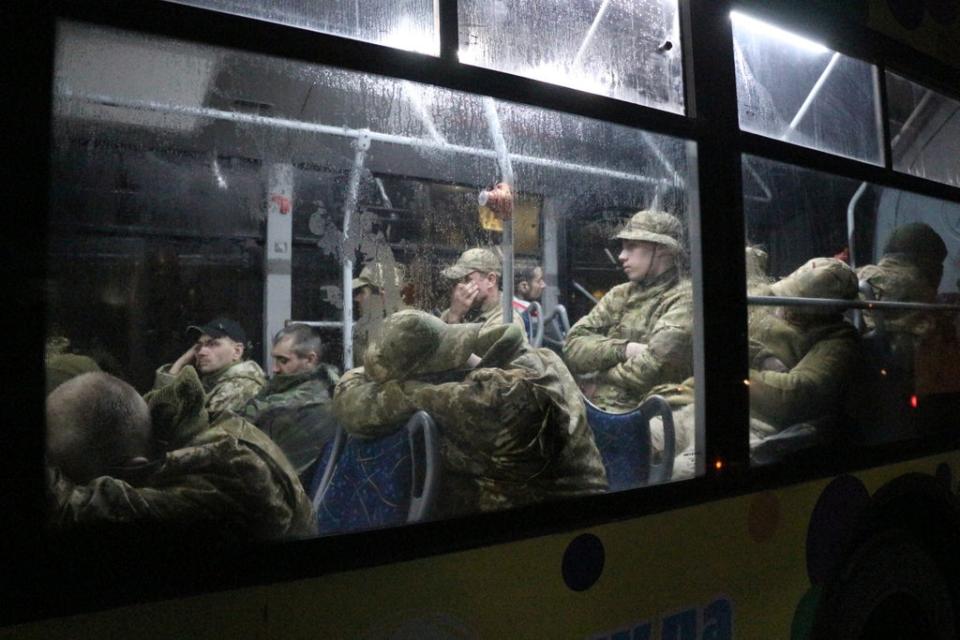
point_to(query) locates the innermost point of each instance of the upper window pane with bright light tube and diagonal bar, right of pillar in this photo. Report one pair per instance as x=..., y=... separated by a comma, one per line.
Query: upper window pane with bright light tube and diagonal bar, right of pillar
x=797, y=90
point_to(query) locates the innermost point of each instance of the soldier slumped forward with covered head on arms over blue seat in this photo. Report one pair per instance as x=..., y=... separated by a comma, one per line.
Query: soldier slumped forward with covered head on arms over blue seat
x=512, y=428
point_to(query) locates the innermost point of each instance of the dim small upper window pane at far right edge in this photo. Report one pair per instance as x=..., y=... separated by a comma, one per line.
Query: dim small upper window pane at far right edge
x=924, y=126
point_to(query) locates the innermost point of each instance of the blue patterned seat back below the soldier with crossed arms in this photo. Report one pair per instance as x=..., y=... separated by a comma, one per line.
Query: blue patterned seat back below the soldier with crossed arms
x=625, y=444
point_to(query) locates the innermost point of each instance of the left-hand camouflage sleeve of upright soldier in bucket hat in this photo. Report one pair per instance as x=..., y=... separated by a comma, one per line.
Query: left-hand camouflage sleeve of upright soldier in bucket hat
x=587, y=348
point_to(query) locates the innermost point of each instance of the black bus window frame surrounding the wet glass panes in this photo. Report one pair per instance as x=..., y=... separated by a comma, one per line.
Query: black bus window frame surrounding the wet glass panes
x=711, y=124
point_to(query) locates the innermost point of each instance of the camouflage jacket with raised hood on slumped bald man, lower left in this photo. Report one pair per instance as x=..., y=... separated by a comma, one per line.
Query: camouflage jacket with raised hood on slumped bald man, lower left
x=225, y=476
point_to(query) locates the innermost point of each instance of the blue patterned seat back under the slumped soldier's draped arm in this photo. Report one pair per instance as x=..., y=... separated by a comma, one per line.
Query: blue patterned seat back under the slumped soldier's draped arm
x=383, y=482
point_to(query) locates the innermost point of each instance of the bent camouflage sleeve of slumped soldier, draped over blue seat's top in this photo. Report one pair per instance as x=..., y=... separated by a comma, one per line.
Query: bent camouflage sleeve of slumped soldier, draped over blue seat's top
x=370, y=409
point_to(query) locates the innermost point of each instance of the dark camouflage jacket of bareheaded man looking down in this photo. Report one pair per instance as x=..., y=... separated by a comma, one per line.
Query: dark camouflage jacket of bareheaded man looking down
x=295, y=412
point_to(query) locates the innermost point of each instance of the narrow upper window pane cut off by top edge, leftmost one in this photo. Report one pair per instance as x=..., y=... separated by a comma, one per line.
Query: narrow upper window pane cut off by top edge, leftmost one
x=403, y=24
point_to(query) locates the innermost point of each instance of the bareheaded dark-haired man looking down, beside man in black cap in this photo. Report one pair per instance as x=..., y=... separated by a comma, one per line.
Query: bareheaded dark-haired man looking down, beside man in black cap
x=294, y=408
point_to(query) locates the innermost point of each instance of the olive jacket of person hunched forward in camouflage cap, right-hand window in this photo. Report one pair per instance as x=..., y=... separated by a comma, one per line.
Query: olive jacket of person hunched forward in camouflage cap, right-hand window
x=822, y=359
